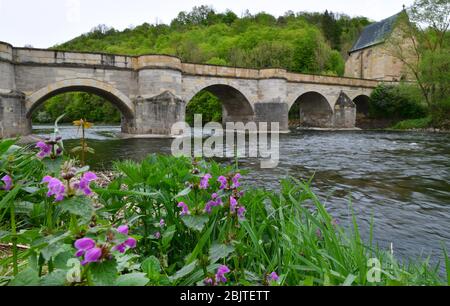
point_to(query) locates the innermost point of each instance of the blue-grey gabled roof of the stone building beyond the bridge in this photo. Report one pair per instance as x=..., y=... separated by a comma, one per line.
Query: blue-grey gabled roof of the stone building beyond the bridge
x=376, y=33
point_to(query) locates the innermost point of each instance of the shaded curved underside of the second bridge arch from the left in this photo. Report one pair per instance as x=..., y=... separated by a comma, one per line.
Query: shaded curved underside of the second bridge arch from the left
x=236, y=105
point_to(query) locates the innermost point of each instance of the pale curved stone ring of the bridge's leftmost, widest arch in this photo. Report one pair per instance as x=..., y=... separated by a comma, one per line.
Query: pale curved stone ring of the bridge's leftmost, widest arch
x=102, y=89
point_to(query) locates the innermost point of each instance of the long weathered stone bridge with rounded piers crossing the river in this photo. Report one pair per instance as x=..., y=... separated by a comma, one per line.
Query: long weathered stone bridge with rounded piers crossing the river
x=152, y=91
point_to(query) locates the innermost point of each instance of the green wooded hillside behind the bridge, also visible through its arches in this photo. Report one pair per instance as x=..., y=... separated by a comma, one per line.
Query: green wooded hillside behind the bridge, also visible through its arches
x=315, y=43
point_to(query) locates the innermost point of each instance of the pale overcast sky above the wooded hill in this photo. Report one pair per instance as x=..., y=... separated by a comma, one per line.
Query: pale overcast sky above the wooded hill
x=44, y=23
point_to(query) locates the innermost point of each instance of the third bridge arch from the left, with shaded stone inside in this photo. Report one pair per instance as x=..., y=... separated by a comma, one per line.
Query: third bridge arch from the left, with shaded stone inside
x=312, y=109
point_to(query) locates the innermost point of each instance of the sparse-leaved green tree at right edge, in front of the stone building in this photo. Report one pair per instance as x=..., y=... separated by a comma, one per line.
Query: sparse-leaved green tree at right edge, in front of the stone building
x=421, y=43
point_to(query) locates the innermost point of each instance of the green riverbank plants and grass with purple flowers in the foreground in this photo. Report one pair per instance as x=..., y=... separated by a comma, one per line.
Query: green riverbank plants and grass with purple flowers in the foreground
x=172, y=221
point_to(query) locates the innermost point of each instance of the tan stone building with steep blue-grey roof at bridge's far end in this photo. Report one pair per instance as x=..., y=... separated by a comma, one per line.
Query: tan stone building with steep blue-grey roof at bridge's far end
x=371, y=58
